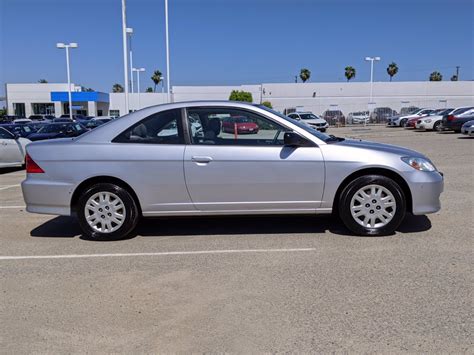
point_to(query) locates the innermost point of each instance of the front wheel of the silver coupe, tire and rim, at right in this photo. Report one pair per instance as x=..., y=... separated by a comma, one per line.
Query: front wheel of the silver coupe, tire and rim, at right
x=350, y=200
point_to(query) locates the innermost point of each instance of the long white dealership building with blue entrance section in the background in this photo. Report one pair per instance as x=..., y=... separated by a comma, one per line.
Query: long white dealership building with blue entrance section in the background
x=28, y=99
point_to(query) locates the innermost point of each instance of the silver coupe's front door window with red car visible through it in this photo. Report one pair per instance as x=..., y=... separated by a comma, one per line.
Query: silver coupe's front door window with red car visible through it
x=228, y=126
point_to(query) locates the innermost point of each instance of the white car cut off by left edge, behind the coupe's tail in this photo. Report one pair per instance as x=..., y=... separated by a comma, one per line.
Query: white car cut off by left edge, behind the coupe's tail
x=12, y=149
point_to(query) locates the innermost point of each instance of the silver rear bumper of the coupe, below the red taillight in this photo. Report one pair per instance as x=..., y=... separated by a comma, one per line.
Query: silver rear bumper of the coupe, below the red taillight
x=47, y=197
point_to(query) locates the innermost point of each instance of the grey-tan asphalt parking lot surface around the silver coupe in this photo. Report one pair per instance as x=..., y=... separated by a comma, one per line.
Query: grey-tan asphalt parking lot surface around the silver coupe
x=238, y=284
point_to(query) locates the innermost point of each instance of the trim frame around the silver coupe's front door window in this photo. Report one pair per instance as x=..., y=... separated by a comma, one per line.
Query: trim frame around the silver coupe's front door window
x=189, y=138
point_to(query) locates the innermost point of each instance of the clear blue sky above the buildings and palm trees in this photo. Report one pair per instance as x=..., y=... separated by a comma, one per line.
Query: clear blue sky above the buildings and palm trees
x=233, y=42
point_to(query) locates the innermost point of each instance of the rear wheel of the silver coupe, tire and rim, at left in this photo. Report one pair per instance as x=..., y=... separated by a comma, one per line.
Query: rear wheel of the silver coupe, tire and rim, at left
x=119, y=203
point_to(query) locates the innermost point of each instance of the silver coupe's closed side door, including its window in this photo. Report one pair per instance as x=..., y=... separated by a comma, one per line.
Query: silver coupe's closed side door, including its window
x=251, y=172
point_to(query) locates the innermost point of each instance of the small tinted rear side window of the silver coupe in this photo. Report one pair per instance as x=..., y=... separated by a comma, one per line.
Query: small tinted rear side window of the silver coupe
x=160, y=128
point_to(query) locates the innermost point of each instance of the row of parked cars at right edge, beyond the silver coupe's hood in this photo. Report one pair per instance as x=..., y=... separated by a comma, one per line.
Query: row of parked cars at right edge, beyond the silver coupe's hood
x=460, y=119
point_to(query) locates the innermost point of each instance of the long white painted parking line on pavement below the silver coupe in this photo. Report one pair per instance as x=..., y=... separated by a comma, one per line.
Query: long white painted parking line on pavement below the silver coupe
x=79, y=256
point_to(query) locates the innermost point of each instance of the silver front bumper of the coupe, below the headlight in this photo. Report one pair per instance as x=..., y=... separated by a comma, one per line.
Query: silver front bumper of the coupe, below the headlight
x=426, y=189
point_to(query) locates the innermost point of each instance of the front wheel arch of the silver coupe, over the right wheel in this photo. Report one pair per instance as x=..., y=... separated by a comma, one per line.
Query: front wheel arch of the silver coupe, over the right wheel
x=375, y=171
